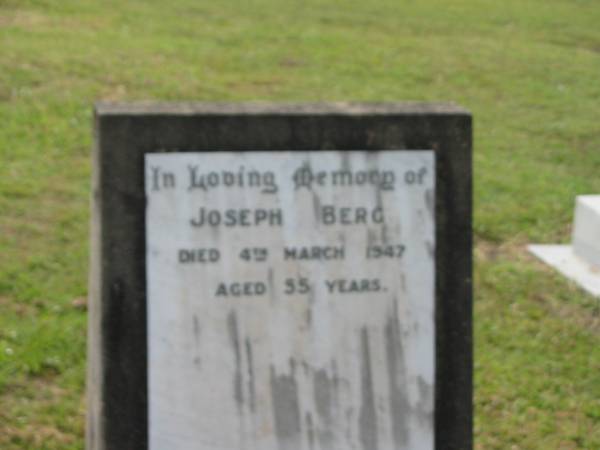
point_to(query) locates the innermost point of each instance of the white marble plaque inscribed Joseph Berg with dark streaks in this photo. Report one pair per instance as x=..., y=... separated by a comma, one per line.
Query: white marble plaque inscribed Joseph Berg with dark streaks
x=291, y=300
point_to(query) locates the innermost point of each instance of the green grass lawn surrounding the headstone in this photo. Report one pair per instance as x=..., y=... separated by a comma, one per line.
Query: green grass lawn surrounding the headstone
x=528, y=71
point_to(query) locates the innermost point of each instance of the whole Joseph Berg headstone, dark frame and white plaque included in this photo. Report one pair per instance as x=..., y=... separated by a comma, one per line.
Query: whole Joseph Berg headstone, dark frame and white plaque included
x=281, y=277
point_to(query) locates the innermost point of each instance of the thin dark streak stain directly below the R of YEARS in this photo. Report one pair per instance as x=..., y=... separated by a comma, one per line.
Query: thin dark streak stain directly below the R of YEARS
x=367, y=420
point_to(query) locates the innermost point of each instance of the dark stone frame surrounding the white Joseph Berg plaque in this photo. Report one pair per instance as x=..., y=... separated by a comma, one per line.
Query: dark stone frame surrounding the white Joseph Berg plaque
x=117, y=361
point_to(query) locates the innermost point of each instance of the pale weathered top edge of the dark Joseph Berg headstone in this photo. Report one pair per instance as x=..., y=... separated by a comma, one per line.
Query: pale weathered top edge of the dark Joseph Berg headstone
x=258, y=108
